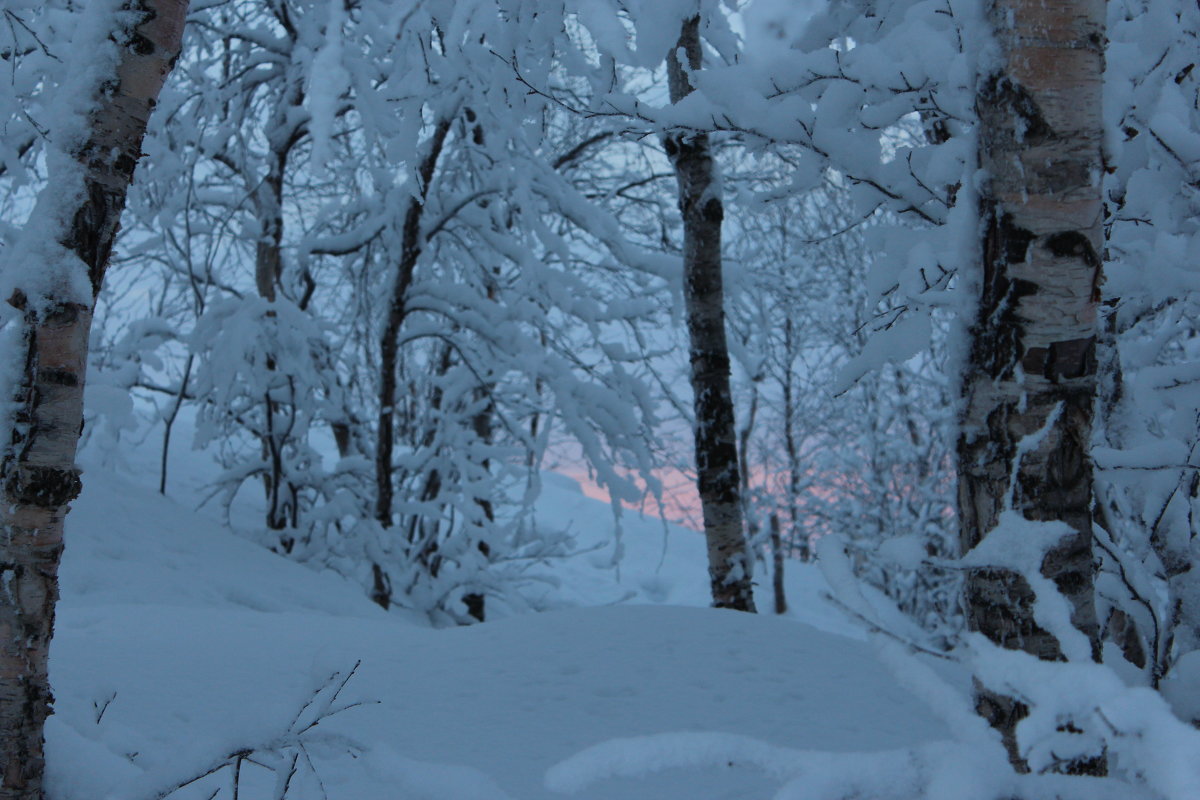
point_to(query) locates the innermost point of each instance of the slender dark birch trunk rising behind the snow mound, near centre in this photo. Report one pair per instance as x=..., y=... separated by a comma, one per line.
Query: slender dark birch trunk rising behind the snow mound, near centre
x=717, y=454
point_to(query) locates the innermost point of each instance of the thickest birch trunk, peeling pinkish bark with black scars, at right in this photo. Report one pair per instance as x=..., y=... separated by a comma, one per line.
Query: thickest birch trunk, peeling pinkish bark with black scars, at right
x=1031, y=372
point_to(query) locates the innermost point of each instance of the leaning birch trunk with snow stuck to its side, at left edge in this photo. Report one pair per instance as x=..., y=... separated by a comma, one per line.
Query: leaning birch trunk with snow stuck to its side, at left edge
x=39, y=474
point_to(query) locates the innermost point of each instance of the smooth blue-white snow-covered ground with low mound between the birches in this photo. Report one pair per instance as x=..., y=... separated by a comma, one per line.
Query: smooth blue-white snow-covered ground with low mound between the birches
x=179, y=645
